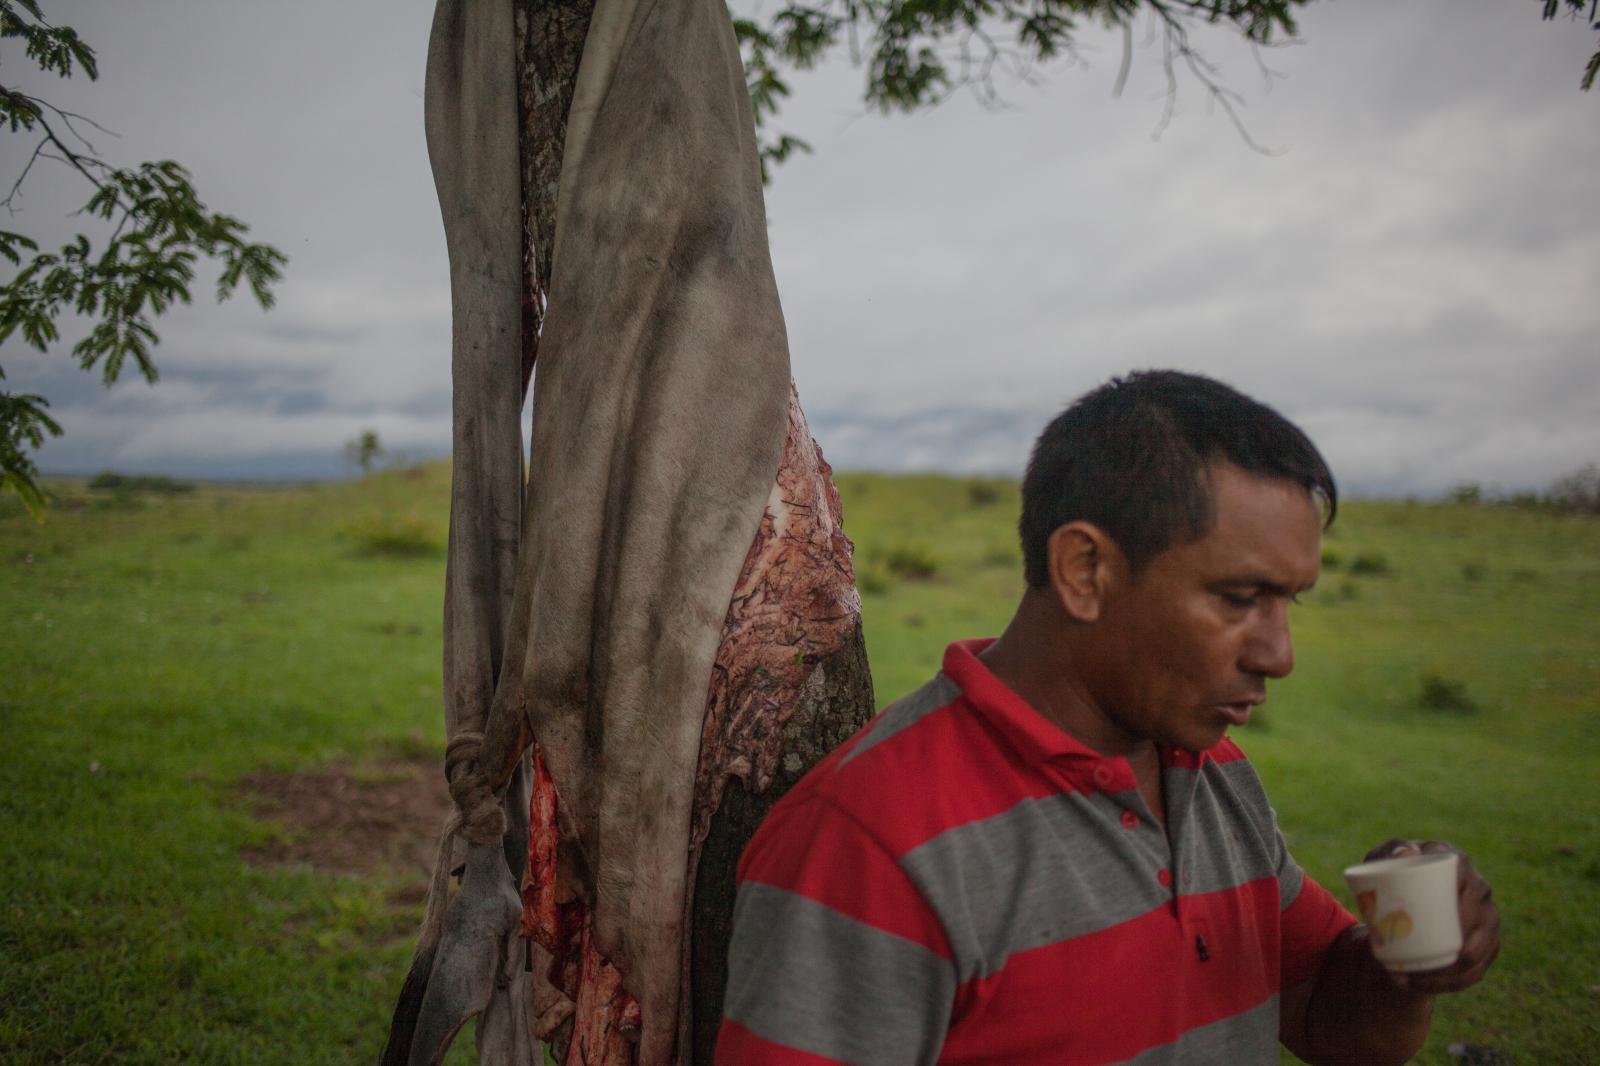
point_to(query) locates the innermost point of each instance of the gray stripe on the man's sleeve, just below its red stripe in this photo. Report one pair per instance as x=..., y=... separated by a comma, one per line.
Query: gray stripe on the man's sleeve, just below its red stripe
x=834, y=987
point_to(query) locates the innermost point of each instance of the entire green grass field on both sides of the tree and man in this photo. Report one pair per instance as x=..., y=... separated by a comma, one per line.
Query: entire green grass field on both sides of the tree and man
x=158, y=649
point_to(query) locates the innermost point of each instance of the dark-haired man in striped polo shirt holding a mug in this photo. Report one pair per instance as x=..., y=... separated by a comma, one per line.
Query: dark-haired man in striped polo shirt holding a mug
x=1050, y=854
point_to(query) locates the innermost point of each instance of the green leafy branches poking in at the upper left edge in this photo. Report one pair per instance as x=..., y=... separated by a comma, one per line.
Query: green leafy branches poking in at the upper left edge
x=159, y=228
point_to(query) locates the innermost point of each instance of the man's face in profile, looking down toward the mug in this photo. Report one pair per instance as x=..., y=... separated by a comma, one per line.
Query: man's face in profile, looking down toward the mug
x=1185, y=651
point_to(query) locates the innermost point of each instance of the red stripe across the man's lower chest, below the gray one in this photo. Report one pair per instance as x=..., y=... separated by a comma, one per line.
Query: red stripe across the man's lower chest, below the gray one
x=1127, y=988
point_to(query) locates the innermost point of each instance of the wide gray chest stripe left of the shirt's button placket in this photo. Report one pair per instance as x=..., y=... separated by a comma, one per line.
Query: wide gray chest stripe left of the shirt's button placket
x=1039, y=873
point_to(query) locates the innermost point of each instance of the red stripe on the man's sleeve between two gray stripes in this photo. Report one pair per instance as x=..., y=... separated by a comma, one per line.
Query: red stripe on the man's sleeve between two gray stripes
x=822, y=854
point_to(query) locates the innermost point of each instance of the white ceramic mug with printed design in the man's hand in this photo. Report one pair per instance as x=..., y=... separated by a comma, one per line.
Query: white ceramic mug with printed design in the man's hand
x=1410, y=908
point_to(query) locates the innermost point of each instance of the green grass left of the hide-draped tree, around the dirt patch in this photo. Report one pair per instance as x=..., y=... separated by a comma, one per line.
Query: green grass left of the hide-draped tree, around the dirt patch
x=151, y=655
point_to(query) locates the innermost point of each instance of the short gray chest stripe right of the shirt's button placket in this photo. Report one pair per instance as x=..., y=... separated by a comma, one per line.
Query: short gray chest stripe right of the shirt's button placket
x=1228, y=836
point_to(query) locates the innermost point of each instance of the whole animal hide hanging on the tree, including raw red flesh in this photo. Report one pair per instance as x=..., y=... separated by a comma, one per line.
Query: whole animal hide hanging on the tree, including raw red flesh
x=682, y=571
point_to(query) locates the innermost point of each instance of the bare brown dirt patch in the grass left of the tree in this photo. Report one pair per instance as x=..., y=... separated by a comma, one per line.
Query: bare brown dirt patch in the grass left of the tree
x=353, y=820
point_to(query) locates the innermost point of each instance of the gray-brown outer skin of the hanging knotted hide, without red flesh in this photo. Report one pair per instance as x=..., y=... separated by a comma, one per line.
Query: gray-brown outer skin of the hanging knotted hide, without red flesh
x=662, y=404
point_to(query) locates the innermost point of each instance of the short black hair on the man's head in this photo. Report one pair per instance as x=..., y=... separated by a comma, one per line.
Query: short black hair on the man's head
x=1132, y=457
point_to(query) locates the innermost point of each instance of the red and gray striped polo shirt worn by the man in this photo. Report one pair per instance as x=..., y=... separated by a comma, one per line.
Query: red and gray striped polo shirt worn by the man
x=964, y=883
